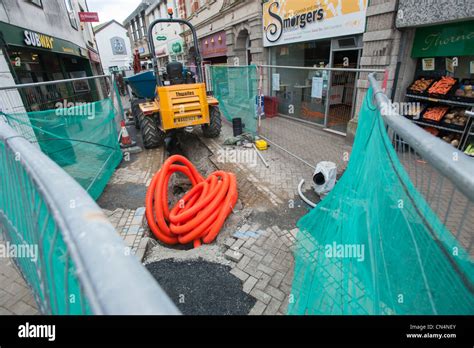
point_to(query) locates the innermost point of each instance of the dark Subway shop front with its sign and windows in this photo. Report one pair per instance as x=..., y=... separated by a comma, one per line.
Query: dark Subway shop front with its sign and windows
x=36, y=57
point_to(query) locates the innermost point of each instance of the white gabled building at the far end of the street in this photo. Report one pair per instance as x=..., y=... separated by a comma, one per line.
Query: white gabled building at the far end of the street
x=114, y=46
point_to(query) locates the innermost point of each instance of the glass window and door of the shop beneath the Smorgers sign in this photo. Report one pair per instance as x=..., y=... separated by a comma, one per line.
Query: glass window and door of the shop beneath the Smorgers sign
x=296, y=85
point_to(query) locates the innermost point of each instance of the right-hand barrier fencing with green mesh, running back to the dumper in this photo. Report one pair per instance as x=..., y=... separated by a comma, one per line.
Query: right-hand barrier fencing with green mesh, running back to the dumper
x=395, y=235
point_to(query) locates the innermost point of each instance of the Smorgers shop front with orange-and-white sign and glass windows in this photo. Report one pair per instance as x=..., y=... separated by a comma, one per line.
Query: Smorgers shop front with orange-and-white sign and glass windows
x=306, y=34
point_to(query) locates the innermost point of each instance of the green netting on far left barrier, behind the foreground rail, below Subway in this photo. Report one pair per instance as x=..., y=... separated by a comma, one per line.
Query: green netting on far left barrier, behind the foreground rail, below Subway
x=83, y=140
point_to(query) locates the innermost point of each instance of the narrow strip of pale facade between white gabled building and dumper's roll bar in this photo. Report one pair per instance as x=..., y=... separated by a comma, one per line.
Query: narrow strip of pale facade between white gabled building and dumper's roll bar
x=137, y=28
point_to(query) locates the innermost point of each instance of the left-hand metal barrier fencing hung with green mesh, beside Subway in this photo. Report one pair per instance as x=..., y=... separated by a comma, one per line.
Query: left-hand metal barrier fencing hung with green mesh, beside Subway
x=58, y=149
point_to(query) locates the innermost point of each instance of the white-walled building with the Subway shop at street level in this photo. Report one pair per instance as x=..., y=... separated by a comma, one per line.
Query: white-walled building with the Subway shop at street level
x=56, y=45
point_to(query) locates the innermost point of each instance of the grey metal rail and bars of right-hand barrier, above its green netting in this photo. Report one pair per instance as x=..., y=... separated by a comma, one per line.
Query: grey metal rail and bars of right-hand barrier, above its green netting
x=441, y=173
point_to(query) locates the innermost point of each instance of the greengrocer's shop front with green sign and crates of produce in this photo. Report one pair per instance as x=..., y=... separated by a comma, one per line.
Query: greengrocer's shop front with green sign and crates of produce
x=439, y=87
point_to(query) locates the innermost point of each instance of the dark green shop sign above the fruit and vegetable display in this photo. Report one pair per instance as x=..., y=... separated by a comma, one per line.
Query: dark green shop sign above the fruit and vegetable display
x=447, y=40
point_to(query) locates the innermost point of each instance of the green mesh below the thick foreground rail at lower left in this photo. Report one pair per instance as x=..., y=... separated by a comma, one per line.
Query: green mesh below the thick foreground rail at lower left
x=41, y=253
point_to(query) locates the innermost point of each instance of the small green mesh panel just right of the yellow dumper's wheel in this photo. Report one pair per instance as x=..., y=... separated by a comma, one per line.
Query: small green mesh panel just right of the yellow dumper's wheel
x=236, y=88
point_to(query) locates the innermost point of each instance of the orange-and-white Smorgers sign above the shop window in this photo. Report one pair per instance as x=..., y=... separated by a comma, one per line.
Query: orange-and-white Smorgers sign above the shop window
x=287, y=22
